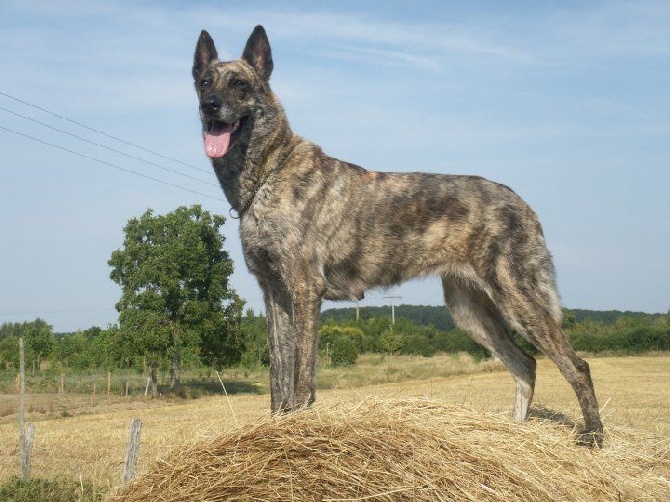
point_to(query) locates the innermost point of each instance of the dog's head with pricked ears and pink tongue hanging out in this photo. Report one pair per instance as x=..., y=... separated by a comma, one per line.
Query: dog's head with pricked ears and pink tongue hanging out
x=230, y=93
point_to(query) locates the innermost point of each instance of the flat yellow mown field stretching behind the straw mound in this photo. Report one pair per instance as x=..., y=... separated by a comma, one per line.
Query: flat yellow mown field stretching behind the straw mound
x=86, y=443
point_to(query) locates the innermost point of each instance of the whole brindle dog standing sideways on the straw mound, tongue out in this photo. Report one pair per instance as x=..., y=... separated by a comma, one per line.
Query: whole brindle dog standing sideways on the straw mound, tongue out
x=313, y=227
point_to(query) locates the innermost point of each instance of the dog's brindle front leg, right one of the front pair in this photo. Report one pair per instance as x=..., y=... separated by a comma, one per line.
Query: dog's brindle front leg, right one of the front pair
x=306, y=310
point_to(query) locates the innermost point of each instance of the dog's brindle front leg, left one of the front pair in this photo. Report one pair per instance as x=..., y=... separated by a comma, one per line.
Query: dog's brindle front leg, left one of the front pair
x=281, y=338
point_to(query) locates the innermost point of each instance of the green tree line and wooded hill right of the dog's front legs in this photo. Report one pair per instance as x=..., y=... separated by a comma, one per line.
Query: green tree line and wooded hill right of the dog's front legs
x=596, y=332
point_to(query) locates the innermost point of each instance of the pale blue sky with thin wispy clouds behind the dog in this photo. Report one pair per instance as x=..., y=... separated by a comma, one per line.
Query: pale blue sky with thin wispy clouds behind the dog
x=567, y=102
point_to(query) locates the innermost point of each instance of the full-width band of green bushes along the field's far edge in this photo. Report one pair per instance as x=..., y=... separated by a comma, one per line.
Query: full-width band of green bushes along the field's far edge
x=342, y=339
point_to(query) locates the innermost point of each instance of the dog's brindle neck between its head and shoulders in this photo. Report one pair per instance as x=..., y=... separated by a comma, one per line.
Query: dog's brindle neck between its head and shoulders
x=261, y=150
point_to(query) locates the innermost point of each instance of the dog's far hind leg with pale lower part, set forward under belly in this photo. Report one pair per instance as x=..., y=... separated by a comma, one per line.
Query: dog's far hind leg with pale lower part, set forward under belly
x=474, y=312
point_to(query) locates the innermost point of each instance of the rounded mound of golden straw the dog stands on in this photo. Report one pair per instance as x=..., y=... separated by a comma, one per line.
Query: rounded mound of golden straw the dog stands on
x=417, y=450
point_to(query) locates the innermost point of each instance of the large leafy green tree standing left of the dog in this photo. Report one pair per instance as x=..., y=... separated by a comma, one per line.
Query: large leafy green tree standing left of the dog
x=174, y=273
